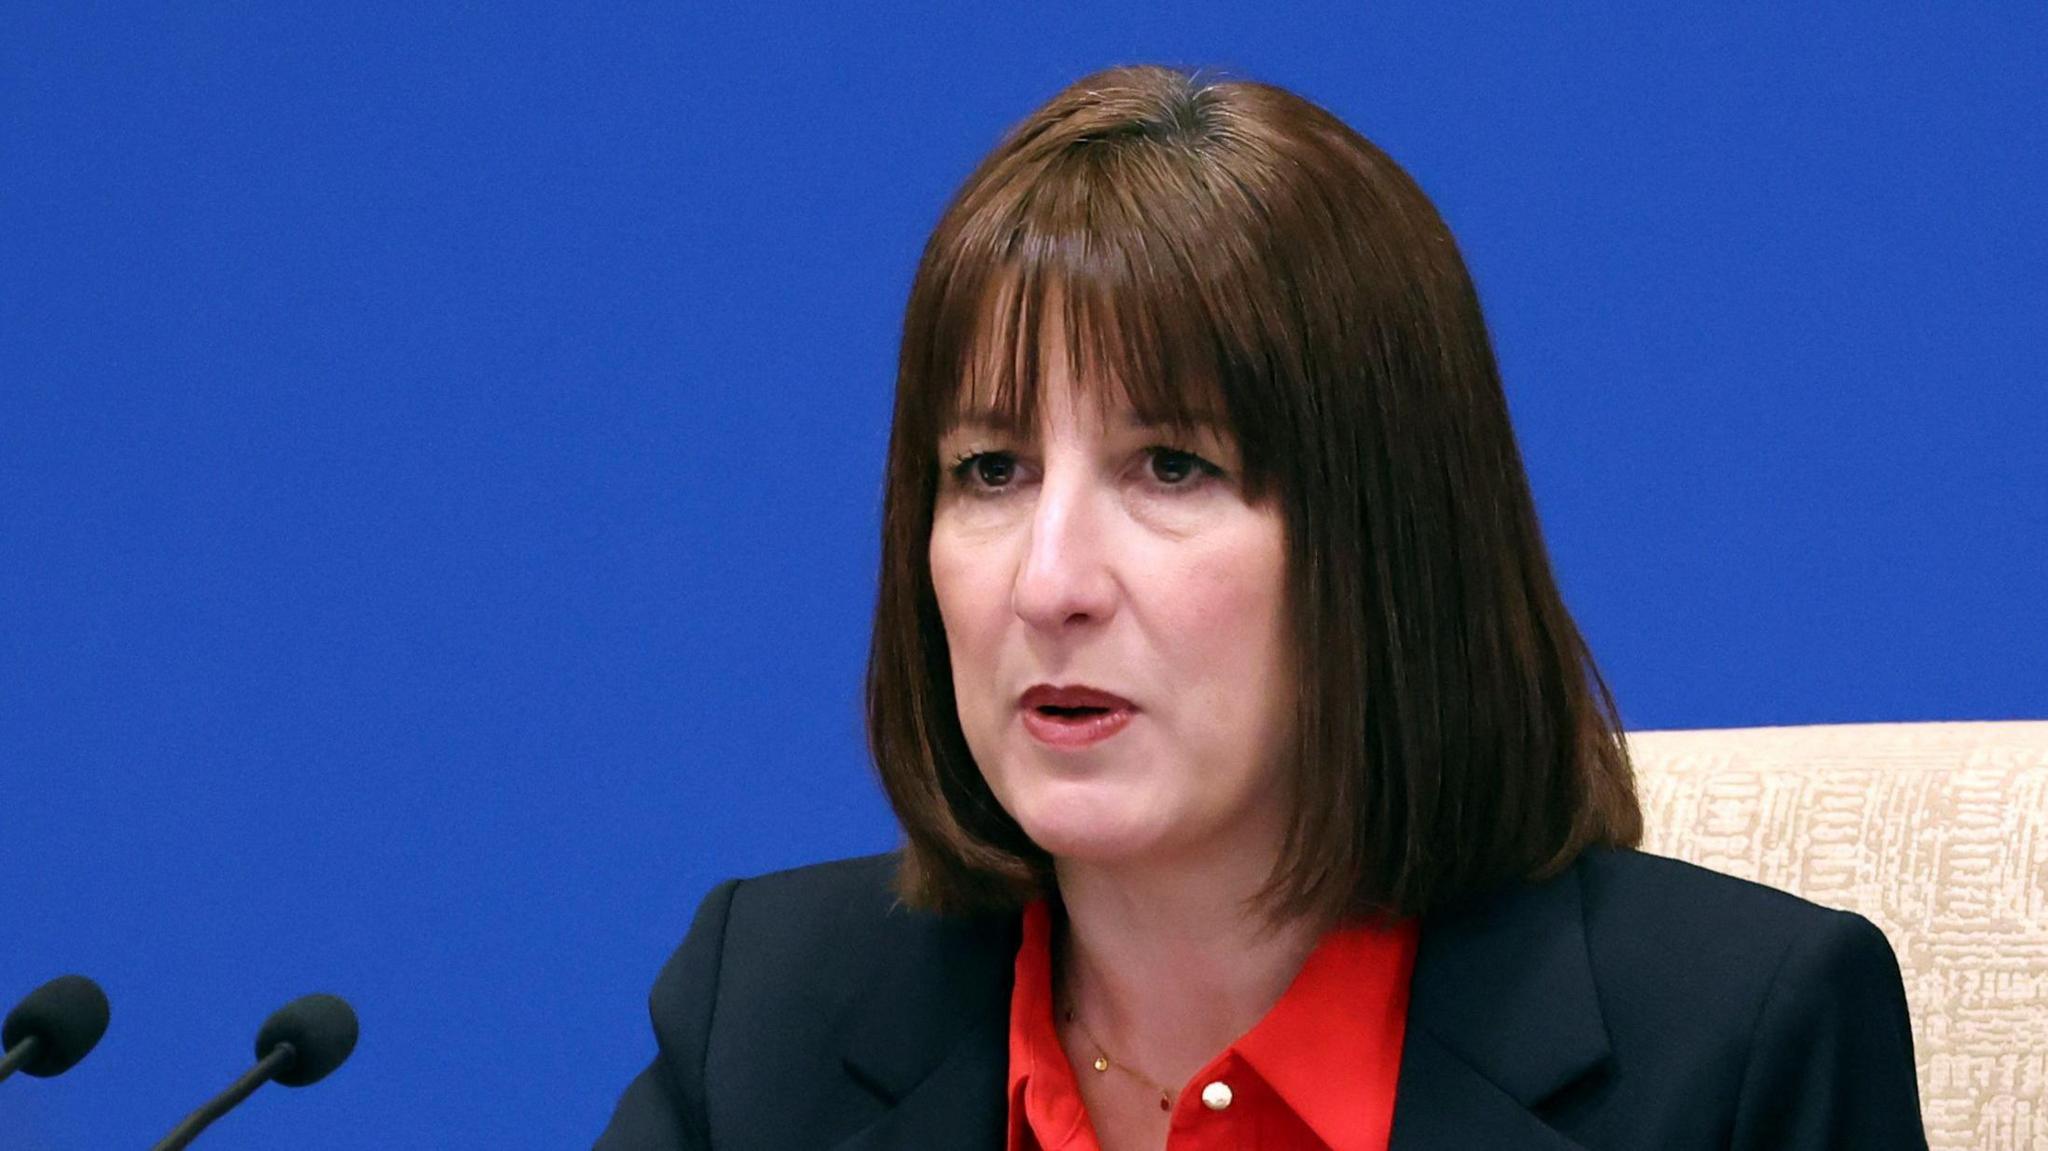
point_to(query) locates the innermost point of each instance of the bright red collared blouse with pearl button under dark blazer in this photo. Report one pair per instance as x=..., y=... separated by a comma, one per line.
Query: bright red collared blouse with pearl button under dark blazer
x=1316, y=1074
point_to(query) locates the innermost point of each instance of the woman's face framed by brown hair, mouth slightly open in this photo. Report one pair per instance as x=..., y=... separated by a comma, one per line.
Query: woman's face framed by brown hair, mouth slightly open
x=1089, y=556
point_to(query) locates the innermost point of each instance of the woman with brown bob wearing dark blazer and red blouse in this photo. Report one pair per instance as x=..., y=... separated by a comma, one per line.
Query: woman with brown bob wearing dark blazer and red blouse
x=1258, y=790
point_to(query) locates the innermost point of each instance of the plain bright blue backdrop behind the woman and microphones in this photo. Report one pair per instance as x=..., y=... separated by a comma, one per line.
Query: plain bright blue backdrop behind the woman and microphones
x=441, y=458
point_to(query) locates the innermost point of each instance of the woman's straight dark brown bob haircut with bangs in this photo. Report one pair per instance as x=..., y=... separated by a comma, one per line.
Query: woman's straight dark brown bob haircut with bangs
x=1234, y=251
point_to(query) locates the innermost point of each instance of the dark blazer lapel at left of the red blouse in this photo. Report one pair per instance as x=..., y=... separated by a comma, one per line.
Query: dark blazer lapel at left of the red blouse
x=931, y=1039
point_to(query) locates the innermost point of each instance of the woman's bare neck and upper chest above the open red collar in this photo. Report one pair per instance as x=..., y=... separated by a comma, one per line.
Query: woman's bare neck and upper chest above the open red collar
x=1168, y=966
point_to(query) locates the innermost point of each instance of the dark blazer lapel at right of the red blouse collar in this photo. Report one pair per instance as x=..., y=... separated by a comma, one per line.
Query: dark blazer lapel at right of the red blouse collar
x=1502, y=1017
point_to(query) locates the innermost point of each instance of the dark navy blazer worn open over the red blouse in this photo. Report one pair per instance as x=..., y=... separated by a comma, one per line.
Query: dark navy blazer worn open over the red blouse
x=1629, y=1003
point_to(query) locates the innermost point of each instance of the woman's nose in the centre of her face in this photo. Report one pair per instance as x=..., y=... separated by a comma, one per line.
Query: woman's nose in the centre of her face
x=1066, y=574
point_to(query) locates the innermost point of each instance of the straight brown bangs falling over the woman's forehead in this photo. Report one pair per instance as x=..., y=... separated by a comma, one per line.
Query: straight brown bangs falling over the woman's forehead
x=1142, y=312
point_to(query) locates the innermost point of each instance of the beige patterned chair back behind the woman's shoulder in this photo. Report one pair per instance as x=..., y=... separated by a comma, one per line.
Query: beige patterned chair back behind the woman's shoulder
x=1938, y=835
